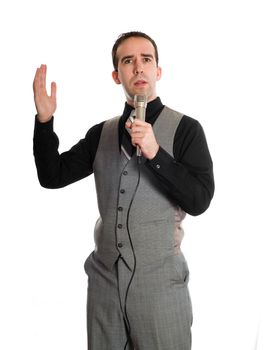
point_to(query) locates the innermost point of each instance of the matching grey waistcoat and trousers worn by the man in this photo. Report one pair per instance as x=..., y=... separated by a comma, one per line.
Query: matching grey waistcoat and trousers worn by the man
x=138, y=297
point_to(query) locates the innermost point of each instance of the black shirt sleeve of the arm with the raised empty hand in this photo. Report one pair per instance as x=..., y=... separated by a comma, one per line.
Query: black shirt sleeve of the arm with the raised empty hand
x=58, y=170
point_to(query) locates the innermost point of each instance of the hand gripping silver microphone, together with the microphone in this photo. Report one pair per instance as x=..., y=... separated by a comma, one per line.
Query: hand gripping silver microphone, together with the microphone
x=142, y=132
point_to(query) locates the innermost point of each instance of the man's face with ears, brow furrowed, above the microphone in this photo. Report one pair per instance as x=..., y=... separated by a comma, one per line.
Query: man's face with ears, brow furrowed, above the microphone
x=137, y=68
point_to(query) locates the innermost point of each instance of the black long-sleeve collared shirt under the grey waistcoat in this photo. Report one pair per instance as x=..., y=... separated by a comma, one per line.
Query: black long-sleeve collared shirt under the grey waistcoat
x=187, y=178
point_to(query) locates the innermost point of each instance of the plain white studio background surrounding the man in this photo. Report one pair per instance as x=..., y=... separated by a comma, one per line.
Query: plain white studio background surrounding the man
x=213, y=56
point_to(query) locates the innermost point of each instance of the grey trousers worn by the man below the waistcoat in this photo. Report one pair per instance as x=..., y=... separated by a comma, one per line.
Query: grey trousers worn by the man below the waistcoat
x=148, y=311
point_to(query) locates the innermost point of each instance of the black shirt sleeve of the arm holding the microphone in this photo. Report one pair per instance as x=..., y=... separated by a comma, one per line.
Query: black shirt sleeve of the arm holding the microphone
x=188, y=177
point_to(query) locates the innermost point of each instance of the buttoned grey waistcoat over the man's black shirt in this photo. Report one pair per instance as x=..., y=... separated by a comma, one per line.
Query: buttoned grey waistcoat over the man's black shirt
x=153, y=221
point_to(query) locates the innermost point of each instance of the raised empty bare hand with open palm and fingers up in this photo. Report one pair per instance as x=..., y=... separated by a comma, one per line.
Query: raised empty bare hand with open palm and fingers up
x=45, y=105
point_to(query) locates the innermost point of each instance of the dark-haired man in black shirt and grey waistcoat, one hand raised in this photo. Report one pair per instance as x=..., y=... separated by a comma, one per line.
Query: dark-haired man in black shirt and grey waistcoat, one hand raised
x=137, y=275
